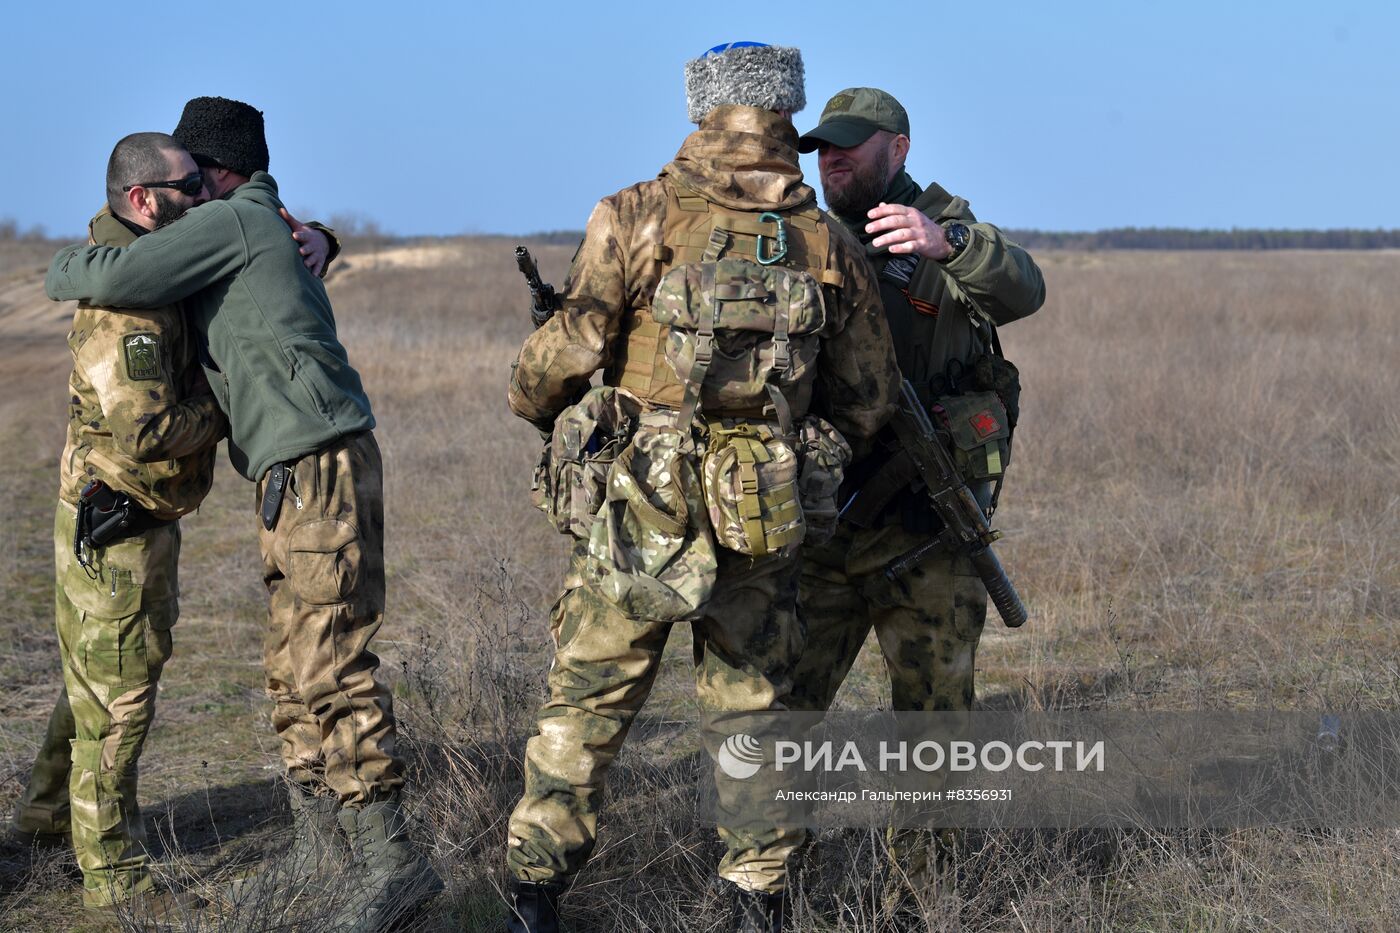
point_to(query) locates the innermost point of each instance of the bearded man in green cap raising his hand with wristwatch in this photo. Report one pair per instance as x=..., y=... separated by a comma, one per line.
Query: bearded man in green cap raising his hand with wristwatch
x=947, y=282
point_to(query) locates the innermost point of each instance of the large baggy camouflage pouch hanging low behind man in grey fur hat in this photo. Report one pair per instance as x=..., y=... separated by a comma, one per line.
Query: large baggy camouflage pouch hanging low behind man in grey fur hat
x=650, y=553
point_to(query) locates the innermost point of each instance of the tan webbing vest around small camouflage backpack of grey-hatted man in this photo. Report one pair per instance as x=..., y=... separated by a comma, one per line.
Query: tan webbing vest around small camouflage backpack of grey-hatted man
x=698, y=230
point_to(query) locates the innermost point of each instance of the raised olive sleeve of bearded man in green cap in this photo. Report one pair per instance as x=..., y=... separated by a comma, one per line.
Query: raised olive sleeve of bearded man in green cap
x=995, y=272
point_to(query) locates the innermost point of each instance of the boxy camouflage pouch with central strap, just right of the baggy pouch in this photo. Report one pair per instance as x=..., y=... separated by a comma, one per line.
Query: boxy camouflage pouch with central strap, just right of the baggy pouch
x=751, y=488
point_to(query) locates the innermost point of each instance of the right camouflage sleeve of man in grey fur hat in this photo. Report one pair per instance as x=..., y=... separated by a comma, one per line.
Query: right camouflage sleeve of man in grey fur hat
x=857, y=371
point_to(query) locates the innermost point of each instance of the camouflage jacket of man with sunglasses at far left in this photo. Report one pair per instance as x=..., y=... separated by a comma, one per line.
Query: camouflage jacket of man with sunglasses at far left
x=141, y=417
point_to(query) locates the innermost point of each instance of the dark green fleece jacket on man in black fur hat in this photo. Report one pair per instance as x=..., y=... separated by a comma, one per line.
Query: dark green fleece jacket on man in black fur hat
x=264, y=323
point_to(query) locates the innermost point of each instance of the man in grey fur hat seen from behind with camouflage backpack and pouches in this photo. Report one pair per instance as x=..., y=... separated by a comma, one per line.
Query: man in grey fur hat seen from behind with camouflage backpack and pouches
x=731, y=319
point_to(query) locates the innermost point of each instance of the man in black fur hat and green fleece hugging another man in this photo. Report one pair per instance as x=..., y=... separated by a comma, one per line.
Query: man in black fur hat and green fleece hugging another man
x=302, y=428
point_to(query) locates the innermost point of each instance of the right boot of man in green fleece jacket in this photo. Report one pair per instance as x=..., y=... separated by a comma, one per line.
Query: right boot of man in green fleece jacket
x=394, y=878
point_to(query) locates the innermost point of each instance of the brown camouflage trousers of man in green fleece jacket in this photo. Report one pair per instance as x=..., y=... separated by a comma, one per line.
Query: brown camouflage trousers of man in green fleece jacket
x=324, y=569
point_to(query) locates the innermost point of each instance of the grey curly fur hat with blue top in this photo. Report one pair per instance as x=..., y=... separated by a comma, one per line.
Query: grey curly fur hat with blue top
x=748, y=74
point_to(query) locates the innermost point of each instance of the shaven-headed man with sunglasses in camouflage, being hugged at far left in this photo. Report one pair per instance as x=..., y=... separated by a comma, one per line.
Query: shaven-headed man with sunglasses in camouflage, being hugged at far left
x=143, y=422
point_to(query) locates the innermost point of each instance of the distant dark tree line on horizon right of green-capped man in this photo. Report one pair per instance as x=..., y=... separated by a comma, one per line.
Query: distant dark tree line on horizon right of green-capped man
x=1179, y=239
